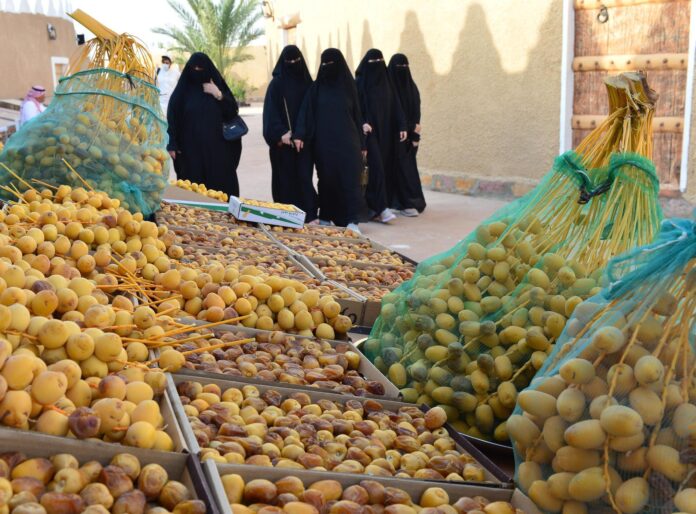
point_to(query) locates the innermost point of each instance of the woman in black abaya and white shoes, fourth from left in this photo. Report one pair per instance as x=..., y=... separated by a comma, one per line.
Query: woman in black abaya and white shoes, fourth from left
x=384, y=126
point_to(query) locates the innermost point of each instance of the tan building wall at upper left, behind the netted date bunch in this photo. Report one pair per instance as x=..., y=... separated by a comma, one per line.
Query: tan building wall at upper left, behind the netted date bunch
x=26, y=51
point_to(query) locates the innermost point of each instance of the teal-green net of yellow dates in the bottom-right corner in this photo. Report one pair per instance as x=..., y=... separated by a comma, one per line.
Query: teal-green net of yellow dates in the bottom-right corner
x=609, y=423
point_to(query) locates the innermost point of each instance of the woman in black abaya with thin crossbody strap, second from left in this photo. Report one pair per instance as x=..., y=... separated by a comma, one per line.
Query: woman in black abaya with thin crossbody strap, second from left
x=292, y=170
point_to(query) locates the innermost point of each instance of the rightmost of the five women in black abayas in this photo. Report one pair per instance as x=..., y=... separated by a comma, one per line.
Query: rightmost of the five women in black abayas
x=409, y=192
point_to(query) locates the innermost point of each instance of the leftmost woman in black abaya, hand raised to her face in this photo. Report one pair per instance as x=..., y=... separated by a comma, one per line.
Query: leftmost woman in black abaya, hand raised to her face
x=199, y=105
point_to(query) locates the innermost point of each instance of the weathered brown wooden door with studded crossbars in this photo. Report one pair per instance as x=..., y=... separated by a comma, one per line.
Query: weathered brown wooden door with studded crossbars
x=618, y=35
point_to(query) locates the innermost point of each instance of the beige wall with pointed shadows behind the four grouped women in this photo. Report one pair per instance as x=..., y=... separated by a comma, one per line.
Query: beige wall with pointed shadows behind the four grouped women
x=488, y=72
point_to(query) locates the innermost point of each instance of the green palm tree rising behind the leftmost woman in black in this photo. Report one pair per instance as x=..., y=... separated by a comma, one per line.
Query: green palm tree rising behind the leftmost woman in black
x=219, y=28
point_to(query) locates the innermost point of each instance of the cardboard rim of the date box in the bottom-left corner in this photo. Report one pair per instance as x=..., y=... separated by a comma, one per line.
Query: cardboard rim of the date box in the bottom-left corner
x=184, y=468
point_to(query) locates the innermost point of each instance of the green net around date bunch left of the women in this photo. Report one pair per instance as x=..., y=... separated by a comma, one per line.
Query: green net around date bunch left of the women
x=108, y=127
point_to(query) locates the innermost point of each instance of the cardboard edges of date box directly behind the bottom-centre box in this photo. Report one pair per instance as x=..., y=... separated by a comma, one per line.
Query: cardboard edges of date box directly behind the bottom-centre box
x=495, y=477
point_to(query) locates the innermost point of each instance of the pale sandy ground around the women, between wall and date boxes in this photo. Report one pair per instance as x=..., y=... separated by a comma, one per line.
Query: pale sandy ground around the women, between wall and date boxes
x=447, y=219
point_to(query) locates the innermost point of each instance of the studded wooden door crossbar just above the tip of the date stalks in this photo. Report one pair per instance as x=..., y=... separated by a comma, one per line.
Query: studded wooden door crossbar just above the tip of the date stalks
x=628, y=62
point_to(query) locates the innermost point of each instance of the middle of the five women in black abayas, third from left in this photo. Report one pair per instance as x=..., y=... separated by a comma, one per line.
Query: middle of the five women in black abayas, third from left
x=331, y=121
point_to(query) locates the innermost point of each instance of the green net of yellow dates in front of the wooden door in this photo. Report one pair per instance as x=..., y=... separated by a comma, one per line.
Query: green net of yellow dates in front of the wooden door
x=476, y=322
